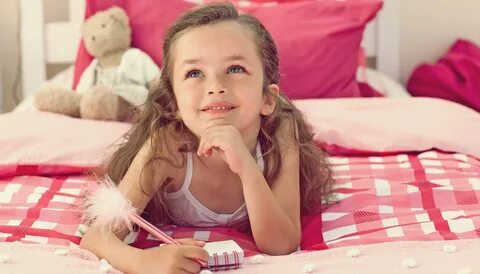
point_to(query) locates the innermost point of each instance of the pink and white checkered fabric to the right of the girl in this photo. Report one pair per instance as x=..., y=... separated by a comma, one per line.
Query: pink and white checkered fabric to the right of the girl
x=429, y=196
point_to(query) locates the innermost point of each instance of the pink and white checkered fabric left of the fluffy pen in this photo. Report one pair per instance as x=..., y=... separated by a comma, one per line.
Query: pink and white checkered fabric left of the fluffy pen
x=37, y=209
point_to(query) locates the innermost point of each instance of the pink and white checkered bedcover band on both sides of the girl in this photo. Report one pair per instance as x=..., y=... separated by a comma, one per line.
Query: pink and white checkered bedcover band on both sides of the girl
x=427, y=196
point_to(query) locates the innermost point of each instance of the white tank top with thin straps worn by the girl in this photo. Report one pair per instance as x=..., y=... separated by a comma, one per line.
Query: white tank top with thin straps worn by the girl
x=186, y=210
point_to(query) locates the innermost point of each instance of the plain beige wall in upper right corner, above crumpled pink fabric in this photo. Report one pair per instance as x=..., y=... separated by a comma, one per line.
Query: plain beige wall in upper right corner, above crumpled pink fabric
x=429, y=27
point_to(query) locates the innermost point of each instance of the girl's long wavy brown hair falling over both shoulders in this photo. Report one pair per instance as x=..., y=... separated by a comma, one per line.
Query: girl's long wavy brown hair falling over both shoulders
x=159, y=122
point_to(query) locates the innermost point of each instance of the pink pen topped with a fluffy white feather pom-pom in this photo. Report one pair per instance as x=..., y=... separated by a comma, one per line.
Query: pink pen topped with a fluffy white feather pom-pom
x=111, y=211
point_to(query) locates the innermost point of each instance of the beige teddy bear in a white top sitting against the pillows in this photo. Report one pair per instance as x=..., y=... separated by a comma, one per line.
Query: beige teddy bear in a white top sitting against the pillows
x=115, y=82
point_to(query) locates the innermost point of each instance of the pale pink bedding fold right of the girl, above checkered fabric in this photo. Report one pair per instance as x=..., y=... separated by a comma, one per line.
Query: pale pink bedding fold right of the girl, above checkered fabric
x=388, y=125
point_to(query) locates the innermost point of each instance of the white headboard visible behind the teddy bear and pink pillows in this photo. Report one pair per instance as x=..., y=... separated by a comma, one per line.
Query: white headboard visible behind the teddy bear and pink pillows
x=57, y=42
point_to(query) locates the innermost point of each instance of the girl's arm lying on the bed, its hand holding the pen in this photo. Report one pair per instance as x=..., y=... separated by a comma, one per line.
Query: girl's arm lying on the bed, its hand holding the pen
x=170, y=259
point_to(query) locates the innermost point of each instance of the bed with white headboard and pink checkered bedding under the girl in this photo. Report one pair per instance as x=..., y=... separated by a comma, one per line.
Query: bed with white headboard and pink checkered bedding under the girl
x=407, y=174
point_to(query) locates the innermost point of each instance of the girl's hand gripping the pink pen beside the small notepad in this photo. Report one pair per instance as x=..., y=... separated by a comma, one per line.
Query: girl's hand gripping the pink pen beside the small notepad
x=173, y=259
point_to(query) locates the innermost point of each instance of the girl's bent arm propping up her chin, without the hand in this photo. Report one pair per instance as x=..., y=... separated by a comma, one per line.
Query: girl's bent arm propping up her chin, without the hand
x=274, y=211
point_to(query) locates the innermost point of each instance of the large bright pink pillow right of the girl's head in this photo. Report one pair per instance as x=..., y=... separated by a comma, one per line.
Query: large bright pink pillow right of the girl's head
x=318, y=43
